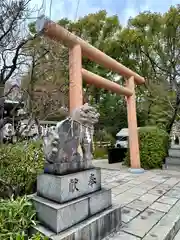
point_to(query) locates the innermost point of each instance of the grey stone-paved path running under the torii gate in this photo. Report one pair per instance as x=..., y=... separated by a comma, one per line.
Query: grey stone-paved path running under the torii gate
x=150, y=202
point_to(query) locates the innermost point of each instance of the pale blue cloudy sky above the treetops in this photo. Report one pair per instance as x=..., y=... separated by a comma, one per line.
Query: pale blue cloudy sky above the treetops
x=73, y=9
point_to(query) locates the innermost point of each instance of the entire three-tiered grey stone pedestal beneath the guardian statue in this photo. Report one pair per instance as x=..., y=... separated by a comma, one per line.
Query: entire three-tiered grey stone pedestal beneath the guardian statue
x=65, y=202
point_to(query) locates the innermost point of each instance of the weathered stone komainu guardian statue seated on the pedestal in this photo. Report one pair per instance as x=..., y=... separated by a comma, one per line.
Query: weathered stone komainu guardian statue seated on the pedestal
x=68, y=148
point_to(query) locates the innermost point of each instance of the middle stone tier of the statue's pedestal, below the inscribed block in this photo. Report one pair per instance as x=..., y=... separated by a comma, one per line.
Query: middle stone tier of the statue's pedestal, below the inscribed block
x=58, y=217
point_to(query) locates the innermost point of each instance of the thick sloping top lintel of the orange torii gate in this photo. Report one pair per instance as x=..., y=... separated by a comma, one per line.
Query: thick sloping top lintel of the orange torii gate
x=58, y=33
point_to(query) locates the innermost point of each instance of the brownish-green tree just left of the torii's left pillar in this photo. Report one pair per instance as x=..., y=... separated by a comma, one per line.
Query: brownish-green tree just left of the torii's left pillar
x=45, y=83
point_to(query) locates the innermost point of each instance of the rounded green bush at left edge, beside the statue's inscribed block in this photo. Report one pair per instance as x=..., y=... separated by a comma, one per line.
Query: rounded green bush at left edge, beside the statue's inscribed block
x=19, y=166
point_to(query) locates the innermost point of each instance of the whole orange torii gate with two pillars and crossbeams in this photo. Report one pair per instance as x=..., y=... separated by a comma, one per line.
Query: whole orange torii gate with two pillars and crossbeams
x=77, y=49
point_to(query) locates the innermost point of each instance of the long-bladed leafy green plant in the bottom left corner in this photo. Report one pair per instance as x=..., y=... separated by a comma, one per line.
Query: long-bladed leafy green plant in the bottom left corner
x=16, y=217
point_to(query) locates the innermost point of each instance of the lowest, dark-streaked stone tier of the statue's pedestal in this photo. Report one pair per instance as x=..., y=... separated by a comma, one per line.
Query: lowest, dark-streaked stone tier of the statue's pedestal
x=95, y=228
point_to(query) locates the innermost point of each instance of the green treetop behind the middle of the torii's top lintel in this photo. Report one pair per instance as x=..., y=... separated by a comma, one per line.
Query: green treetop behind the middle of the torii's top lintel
x=99, y=30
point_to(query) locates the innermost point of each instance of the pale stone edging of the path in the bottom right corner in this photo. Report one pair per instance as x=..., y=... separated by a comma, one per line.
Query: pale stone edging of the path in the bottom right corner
x=167, y=226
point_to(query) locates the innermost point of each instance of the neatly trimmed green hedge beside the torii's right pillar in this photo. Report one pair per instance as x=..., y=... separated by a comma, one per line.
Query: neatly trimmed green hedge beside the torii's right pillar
x=153, y=144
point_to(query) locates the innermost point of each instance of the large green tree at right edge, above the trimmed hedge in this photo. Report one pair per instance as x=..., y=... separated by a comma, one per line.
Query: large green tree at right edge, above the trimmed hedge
x=153, y=50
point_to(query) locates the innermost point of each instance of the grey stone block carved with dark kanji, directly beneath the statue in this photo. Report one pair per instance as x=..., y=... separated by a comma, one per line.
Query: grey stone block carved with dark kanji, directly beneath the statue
x=67, y=187
